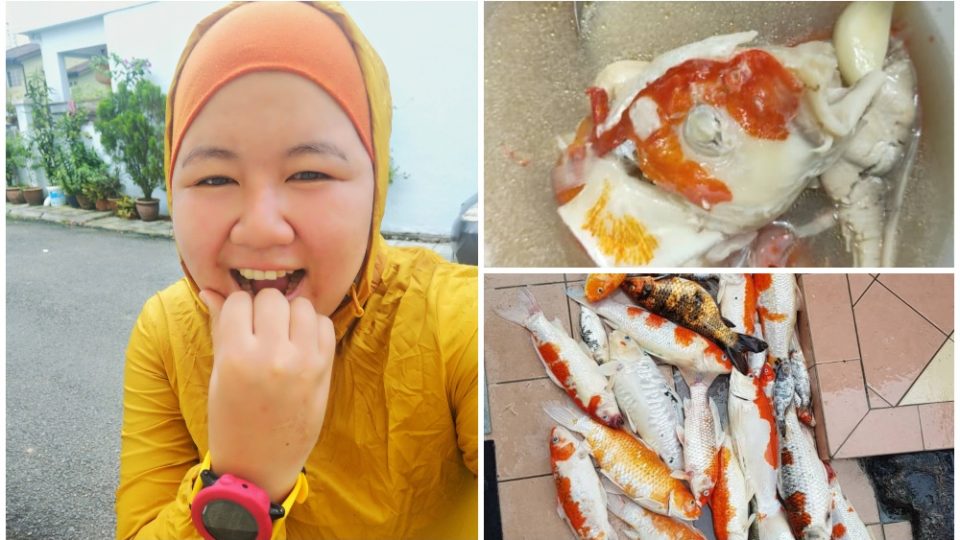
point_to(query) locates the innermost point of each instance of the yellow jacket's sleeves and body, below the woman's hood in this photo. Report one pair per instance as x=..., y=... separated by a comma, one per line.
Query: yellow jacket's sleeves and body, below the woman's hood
x=397, y=455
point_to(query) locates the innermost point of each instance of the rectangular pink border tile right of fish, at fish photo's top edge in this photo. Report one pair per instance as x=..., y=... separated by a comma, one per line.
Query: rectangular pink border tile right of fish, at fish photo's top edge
x=827, y=303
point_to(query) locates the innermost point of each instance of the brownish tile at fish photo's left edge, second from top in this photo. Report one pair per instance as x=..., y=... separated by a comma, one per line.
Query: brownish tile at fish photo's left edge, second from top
x=521, y=428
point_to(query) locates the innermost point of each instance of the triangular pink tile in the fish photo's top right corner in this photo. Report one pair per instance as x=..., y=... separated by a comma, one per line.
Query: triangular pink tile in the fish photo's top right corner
x=930, y=294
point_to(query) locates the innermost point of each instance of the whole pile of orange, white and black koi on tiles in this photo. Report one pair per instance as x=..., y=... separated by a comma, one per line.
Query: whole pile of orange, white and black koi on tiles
x=665, y=458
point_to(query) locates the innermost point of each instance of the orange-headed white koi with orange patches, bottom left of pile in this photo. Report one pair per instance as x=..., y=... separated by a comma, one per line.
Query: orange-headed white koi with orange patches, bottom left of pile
x=581, y=500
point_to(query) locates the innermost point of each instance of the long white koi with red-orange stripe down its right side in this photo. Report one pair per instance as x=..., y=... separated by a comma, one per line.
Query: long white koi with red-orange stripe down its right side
x=753, y=431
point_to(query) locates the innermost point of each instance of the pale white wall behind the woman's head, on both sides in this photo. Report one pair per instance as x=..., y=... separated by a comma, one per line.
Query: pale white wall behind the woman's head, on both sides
x=430, y=50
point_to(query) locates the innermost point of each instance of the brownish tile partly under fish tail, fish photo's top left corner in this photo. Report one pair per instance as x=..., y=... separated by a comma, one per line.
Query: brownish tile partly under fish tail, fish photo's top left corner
x=509, y=354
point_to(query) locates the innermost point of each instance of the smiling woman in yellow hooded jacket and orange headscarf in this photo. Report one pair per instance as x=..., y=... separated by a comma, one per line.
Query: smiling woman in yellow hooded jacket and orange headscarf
x=300, y=352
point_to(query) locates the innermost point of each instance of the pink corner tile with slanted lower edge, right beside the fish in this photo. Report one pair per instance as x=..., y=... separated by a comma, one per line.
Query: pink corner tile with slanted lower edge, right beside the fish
x=843, y=399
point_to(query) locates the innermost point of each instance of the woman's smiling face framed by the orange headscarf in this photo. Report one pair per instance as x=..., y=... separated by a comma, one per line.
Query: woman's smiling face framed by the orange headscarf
x=272, y=176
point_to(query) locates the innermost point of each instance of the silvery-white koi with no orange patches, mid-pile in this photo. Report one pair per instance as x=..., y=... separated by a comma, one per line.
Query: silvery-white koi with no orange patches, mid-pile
x=646, y=399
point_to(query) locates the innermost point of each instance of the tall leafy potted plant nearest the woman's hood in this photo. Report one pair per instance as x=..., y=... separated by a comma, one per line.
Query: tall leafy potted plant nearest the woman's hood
x=131, y=122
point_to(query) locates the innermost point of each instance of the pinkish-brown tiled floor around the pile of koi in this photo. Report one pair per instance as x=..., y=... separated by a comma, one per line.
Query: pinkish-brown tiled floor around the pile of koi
x=518, y=385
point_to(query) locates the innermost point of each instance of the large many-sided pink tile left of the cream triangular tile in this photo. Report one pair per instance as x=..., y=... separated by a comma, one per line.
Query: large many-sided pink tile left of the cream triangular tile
x=896, y=343
